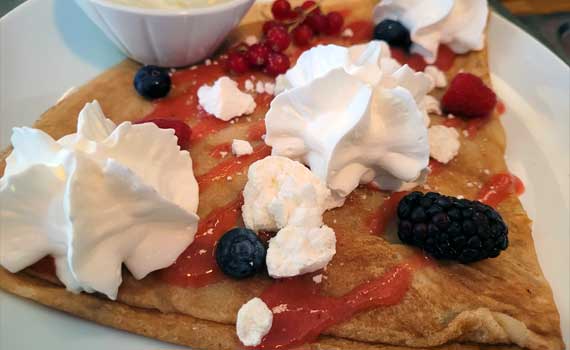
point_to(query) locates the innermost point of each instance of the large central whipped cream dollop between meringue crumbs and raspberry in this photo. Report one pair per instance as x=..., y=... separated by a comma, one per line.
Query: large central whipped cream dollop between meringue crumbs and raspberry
x=353, y=116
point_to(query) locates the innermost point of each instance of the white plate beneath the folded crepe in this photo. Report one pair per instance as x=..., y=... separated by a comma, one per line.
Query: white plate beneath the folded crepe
x=48, y=46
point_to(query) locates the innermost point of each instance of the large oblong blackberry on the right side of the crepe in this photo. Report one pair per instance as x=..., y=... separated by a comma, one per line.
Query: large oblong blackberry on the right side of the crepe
x=451, y=228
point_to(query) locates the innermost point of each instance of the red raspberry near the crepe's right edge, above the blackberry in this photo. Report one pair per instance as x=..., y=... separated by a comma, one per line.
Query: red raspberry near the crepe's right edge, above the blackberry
x=468, y=96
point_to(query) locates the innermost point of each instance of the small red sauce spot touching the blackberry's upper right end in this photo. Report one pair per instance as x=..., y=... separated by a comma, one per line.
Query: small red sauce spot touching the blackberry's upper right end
x=499, y=187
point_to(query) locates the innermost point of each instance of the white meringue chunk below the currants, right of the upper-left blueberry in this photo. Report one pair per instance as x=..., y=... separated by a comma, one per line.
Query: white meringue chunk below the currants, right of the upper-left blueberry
x=225, y=100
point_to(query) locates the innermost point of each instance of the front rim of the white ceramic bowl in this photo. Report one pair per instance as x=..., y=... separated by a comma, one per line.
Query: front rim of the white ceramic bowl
x=222, y=7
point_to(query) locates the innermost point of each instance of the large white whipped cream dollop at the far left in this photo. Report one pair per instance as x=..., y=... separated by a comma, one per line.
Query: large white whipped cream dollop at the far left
x=96, y=199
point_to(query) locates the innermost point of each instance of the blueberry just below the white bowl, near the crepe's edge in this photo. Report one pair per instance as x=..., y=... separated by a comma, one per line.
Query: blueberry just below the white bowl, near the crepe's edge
x=152, y=82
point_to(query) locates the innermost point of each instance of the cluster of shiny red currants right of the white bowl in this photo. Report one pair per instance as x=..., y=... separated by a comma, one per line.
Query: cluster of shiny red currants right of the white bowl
x=299, y=24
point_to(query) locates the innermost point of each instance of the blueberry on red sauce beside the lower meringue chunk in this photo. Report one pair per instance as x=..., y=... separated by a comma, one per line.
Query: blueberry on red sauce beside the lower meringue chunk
x=240, y=253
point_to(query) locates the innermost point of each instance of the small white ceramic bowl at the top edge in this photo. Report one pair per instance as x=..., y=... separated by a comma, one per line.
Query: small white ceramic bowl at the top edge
x=167, y=38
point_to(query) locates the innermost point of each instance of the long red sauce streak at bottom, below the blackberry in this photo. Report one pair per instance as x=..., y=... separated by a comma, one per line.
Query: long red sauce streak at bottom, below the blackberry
x=301, y=313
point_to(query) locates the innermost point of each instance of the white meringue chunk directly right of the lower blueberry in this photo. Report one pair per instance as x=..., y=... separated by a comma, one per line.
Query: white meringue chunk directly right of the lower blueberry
x=297, y=250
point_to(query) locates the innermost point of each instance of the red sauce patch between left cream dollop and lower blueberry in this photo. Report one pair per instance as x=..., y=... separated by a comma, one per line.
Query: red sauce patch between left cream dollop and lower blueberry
x=196, y=266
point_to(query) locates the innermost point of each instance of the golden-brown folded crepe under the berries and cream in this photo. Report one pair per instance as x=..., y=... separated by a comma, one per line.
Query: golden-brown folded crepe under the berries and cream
x=502, y=303
